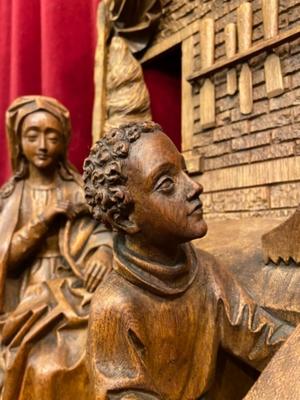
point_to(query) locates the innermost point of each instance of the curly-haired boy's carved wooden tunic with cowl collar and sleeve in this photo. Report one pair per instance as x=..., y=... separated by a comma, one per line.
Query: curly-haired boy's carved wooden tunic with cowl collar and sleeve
x=154, y=330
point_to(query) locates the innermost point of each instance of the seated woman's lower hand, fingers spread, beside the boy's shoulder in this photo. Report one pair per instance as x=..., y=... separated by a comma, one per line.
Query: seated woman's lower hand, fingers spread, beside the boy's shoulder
x=97, y=268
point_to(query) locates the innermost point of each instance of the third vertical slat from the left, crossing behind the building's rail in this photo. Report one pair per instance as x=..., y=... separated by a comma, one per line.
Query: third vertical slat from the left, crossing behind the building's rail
x=245, y=41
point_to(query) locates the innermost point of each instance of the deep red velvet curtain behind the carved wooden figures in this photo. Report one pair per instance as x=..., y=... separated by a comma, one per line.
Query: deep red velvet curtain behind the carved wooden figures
x=47, y=47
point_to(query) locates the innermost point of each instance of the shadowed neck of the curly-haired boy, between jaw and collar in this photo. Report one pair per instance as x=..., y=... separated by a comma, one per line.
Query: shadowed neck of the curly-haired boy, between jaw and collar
x=162, y=254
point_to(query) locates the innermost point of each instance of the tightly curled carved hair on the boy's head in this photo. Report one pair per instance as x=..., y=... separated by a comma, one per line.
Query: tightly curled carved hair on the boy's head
x=104, y=181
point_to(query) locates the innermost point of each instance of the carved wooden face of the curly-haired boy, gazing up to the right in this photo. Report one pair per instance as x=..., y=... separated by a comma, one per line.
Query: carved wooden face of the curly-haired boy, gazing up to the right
x=167, y=208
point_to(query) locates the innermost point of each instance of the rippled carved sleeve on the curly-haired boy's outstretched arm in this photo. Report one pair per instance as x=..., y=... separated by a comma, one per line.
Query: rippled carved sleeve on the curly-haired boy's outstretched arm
x=246, y=329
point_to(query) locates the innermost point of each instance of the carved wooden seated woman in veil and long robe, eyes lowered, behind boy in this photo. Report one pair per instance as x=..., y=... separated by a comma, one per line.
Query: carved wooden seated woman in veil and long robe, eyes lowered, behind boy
x=52, y=257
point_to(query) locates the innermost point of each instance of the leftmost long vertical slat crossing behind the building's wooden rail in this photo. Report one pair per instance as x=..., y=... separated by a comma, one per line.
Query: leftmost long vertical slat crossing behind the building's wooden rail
x=207, y=93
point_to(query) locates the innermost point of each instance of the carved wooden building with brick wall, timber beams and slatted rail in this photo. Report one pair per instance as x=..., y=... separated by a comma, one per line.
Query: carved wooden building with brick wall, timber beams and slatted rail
x=240, y=100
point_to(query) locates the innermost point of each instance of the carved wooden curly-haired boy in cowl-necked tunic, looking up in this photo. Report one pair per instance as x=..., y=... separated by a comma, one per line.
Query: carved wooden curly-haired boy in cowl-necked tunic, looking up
x=157, y=323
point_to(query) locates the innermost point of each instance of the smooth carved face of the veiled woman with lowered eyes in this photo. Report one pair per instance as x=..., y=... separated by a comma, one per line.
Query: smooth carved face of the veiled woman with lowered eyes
x=42, y=140
